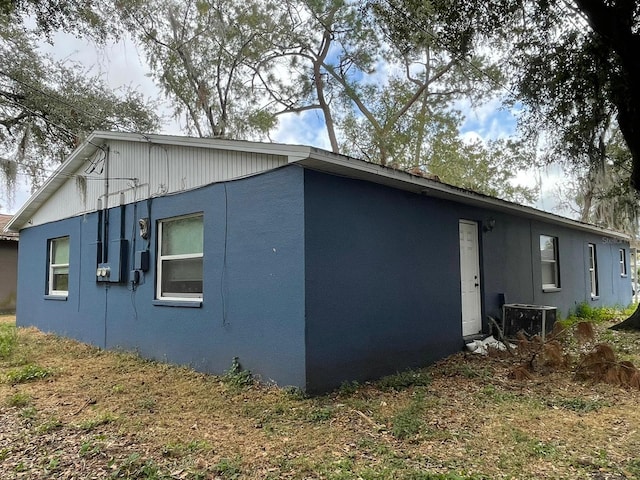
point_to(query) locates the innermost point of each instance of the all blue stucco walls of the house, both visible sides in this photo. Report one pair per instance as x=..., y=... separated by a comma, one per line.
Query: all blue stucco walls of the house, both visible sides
x=310, y=279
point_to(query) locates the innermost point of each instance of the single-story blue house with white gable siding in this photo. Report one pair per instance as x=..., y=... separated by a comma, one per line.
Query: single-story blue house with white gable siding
x=311, y=268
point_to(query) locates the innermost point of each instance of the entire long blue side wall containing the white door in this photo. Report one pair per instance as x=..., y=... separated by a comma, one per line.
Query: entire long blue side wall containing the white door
x=383, y=276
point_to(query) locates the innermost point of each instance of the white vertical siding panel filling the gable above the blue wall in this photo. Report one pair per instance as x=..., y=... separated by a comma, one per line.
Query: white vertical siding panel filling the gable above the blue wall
x=142, y=170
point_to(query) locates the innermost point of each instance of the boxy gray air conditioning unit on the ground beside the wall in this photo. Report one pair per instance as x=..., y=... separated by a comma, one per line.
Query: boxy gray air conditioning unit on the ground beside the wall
x=532, y=319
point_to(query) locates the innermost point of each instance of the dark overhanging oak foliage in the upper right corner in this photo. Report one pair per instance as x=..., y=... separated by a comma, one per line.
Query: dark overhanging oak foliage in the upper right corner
x=574, y=83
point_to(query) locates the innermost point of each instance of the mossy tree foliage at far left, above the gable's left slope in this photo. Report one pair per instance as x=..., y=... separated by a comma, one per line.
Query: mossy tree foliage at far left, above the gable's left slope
x=48, y=107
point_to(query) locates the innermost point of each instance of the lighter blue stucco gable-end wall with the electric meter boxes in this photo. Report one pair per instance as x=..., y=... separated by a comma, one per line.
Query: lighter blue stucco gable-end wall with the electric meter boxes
x=253, y=299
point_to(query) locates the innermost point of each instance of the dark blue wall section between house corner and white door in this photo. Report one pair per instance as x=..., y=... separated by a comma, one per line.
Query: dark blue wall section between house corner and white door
x=382, y=280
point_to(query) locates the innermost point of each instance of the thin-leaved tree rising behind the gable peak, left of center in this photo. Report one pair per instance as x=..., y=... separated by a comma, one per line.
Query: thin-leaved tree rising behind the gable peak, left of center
x=216, y=82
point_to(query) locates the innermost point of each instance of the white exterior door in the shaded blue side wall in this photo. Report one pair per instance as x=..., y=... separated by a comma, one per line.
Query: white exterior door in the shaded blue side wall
x=470, y=278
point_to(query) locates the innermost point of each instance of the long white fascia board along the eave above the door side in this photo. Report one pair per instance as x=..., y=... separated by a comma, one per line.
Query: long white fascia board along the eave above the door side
x=354, y=168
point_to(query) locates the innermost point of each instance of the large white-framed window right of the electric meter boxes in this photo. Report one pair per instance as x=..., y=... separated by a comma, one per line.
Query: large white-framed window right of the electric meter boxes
x=180, y=253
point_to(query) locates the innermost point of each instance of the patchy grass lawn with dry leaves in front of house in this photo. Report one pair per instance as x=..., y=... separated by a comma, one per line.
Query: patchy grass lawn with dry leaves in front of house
x=68, y=410
